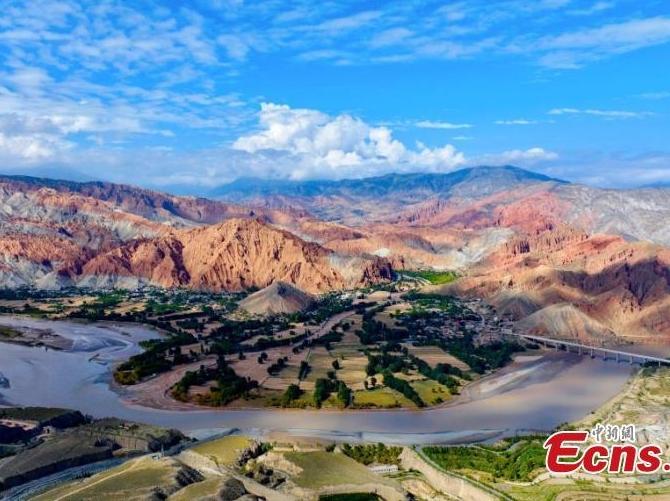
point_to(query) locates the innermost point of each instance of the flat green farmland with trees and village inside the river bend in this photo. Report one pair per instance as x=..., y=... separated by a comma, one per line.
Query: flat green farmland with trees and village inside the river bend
x=368, y=349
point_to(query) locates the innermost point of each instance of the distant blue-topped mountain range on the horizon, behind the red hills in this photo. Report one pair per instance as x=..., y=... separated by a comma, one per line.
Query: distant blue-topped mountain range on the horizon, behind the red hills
x=462, y=196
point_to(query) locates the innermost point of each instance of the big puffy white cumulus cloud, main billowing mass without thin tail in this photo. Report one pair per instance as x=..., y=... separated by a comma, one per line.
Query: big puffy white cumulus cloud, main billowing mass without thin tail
x=327, y=146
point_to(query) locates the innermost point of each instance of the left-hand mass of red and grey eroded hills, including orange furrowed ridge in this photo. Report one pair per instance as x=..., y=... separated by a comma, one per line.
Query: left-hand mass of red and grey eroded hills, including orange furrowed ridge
x=56, y=233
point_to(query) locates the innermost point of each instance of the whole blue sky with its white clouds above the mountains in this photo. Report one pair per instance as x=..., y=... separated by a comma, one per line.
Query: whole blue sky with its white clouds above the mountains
x=189, y=95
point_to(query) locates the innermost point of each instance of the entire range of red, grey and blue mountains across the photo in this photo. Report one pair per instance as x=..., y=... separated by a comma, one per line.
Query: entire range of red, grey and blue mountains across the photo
x=560, y=257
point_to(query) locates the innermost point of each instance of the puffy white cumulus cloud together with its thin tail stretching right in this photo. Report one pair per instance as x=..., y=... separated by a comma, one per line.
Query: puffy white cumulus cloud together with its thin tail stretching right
x=304, y=143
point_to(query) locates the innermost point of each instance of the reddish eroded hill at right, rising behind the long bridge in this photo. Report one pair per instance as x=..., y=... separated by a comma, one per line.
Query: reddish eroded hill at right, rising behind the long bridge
x=568, y=283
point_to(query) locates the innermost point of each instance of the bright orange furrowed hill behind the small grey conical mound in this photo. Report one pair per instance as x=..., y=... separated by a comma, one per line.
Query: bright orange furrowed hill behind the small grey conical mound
x=234, y=255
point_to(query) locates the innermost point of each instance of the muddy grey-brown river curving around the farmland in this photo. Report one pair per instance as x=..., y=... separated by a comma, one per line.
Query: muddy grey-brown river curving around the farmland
x=534, y=393
